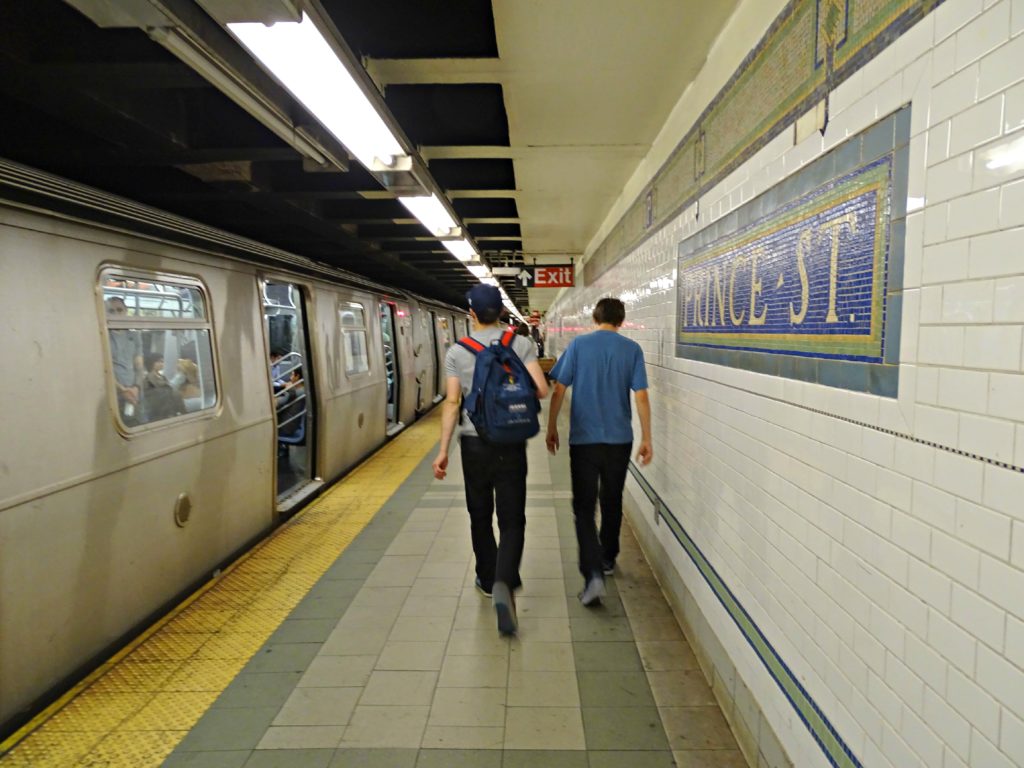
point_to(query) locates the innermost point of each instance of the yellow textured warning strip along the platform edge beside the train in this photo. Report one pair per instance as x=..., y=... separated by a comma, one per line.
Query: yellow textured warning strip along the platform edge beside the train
x=298, y=553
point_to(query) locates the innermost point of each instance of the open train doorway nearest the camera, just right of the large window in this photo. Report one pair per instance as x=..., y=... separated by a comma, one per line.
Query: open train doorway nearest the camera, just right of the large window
x=291, y=378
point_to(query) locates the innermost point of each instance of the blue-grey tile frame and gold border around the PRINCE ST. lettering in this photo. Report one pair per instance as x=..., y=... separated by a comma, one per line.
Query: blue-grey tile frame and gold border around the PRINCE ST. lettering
x=874, y=372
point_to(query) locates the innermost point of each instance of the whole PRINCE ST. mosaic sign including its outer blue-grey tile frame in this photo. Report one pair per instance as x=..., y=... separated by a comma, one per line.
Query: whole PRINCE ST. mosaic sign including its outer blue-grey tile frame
x=806, y=281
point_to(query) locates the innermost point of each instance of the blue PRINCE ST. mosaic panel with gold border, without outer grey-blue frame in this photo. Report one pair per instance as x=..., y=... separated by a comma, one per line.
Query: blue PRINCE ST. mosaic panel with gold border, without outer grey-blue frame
x=808, y=280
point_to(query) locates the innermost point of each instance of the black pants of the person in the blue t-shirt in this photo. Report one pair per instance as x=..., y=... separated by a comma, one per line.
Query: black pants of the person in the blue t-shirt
x=599, y=472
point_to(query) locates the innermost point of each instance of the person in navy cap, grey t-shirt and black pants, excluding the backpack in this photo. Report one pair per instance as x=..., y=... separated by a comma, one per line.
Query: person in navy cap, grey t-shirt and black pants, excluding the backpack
x=495, y=475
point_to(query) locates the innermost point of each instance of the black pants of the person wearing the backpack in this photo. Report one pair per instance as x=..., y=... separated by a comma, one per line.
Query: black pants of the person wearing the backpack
x=496, y=476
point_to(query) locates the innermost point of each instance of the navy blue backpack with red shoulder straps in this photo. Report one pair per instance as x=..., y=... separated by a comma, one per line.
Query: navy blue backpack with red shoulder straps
x=502, y=403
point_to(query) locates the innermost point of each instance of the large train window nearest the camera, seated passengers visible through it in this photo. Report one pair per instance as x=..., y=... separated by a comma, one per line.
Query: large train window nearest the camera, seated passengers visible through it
x=160, y=339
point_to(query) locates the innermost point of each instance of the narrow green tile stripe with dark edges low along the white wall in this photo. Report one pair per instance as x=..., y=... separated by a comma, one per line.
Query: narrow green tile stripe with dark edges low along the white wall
x=835, y=749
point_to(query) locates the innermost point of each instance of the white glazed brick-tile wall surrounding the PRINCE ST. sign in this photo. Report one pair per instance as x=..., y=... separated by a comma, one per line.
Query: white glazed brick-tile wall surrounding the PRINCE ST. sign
x=888, y=574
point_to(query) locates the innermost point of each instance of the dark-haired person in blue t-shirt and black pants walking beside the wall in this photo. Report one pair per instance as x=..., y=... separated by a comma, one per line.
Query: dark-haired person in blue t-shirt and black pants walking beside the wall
x=604, y=367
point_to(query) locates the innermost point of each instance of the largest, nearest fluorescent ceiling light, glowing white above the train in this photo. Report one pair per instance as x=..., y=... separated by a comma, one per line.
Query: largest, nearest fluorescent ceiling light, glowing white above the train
x=302, y=59
